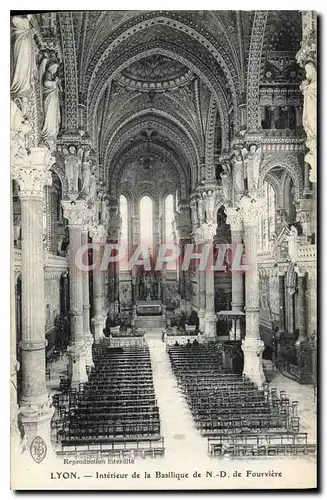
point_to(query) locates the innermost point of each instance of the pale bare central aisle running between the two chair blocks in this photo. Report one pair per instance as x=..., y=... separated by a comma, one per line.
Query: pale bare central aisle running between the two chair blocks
x=182, y=440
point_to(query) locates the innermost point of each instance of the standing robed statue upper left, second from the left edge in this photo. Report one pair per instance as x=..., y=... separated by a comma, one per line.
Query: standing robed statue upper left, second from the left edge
x=51, y=87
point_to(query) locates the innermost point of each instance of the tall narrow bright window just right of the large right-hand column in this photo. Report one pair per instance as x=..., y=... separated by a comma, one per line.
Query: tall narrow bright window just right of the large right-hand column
x=267, y=218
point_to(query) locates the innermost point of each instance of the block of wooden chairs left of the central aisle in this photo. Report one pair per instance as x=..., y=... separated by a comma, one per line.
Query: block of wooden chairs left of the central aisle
x=116, y=405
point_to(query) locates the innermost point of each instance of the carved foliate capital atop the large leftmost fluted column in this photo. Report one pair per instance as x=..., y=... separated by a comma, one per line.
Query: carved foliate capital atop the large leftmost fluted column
x=32, y=172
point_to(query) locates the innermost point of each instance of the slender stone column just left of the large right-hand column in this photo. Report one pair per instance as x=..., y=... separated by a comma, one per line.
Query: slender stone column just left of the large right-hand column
x=235, y=221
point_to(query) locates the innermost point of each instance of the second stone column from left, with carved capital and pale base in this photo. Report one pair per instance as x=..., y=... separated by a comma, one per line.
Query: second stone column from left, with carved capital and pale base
x=78, y=216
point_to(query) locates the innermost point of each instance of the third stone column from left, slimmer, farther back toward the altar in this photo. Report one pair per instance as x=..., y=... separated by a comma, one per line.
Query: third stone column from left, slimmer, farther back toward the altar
x=98, y=235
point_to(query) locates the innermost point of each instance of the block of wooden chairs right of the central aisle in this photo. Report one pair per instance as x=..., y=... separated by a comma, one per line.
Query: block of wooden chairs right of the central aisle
x=230, y=410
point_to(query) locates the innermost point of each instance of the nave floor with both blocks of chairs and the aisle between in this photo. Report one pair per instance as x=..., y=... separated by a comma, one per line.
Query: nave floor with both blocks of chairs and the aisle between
x=176, y=402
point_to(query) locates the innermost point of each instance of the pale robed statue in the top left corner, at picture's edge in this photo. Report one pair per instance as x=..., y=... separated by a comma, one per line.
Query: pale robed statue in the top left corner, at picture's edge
x=24, y=59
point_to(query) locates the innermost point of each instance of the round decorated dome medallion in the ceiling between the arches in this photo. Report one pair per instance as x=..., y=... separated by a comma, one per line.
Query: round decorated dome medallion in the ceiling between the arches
x=155, y=72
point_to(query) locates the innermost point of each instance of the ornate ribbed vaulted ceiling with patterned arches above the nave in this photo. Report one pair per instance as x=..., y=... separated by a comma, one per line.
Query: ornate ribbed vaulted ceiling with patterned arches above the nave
x=161, y=88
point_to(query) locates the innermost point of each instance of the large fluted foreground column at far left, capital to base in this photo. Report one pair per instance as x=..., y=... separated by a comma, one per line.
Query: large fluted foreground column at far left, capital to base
x=32, y=174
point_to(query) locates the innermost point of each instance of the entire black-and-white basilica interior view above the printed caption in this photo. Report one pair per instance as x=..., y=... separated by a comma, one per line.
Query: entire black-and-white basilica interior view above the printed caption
x=187, y=131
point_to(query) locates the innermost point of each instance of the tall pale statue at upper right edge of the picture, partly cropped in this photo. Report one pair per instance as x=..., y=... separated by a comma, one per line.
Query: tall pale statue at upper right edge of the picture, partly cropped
x=309, y=90
